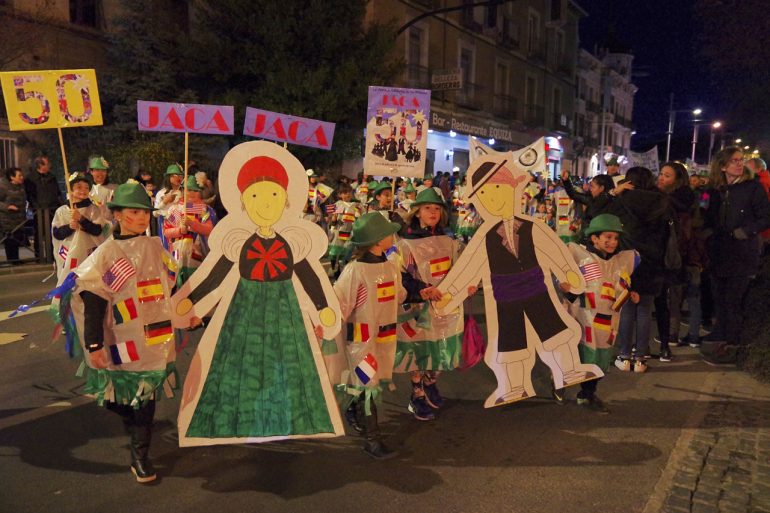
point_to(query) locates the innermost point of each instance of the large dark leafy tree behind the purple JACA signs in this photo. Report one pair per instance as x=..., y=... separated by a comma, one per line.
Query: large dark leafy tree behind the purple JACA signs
x=307, y=58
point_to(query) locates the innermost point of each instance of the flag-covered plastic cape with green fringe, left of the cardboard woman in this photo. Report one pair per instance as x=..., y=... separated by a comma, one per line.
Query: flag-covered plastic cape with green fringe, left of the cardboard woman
x=137, y=338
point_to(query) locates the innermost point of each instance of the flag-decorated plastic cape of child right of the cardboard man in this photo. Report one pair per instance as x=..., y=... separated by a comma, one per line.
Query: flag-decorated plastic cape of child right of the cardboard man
x=597, y=309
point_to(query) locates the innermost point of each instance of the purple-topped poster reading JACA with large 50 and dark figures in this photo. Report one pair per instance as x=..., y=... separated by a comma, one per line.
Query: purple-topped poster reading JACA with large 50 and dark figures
x=396, y=131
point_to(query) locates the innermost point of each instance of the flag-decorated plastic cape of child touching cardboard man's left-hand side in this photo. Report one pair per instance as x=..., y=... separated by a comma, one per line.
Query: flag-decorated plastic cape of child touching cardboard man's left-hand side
x=427, y=341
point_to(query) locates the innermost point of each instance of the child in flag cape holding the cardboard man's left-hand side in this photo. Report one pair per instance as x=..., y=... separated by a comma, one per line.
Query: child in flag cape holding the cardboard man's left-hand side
x=427, y=343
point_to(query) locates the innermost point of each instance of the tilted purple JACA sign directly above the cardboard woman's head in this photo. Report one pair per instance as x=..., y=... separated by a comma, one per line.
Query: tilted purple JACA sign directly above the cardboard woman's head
x=278, y=127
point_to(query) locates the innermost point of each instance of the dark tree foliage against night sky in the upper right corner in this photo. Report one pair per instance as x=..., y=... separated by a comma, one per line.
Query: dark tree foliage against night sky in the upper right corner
x=732, y=44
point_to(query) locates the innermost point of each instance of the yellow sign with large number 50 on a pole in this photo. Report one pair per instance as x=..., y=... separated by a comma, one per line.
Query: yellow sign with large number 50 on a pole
x=37, y=100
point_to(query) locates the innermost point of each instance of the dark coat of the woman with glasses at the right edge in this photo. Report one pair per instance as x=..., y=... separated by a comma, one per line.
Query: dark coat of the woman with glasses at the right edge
x=743, y=206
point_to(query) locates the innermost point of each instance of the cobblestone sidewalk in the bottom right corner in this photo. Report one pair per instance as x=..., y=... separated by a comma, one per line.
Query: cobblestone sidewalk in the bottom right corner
x=722, y=462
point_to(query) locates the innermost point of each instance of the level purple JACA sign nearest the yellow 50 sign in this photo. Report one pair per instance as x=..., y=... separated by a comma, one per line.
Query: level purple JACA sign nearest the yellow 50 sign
x=185, y=117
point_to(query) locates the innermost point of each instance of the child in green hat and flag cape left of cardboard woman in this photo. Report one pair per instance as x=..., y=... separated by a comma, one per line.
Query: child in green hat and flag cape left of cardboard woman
x=121, y=311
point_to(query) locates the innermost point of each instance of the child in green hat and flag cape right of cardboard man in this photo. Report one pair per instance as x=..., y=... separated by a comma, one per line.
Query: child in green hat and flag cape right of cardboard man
x=607, y=273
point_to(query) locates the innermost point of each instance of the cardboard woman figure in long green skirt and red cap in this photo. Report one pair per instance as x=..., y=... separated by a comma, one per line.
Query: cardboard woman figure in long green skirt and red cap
x=258, y=374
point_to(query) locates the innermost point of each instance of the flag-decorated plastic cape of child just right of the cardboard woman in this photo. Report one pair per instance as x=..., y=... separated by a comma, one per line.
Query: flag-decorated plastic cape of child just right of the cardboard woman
x=360, y=359
